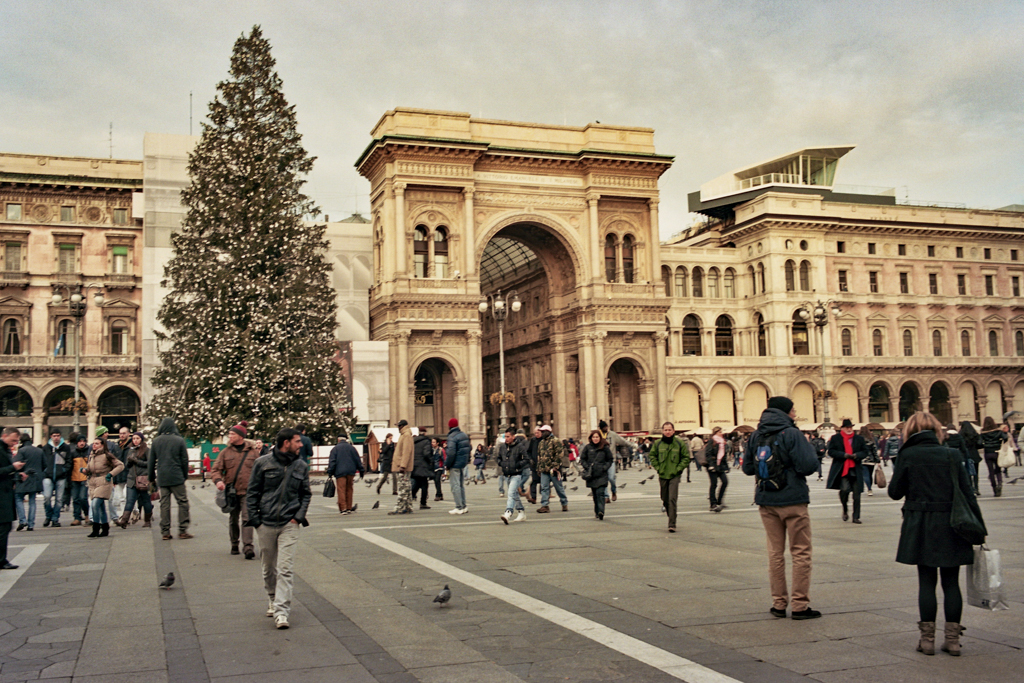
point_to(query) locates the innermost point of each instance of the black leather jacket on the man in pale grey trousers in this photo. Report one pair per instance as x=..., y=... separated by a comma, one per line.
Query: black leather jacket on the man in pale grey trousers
x=273, y=501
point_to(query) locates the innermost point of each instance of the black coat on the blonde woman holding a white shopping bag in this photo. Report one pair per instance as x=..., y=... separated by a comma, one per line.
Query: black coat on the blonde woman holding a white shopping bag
x=924, y=476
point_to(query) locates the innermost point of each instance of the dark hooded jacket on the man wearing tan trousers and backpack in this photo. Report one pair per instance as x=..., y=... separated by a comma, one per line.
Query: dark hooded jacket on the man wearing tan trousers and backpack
x=797, y=454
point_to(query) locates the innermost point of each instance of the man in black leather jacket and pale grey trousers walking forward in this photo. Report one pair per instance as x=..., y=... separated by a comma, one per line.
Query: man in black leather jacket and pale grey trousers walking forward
x=278, y=498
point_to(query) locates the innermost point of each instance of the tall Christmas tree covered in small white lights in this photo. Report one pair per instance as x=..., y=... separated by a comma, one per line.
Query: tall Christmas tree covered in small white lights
x=250, y=319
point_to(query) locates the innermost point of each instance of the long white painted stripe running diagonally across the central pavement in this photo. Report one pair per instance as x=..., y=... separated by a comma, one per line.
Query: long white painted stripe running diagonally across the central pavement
x=673, y=665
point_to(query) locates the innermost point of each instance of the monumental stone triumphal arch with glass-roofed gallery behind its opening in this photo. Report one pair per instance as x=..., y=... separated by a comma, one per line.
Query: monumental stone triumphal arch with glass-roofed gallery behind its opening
x=565, y=218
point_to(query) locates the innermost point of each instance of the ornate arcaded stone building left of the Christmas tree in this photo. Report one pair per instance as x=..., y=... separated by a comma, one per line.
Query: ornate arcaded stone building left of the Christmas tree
x=69, y=229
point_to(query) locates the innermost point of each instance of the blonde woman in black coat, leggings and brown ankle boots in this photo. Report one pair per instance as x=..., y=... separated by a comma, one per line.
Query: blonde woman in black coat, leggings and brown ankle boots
x=926, y=474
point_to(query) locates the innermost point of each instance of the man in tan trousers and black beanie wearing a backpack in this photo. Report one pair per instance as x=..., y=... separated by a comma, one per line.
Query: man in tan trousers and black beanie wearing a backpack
x=780, y=457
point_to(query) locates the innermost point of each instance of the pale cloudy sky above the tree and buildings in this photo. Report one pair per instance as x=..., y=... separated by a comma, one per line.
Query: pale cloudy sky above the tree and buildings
x=930, y=93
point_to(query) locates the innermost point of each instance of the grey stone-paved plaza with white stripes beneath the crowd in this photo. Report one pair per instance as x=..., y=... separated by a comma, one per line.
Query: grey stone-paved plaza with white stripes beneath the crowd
x=561, y=597
